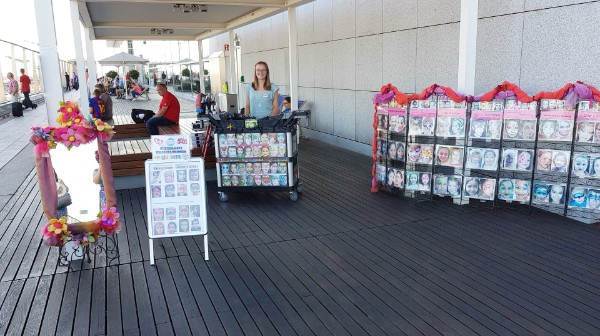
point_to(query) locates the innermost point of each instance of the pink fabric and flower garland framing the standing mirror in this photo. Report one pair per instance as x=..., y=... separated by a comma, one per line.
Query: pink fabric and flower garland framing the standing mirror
x=74, y=130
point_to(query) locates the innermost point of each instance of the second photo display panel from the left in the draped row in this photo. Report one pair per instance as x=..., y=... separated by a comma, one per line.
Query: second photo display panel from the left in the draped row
x=420, y=148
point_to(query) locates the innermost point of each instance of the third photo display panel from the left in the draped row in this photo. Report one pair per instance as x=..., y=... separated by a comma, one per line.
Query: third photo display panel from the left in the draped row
x=450, y=147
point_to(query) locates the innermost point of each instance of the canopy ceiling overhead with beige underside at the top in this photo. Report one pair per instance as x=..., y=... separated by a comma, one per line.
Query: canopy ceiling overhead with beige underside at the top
x=173, y=19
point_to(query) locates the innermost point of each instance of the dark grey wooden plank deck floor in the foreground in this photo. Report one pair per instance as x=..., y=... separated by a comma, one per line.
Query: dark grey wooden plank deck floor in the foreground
x=340, y=261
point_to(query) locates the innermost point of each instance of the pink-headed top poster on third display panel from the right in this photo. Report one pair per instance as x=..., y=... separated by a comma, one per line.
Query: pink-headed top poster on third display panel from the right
x=520, y=120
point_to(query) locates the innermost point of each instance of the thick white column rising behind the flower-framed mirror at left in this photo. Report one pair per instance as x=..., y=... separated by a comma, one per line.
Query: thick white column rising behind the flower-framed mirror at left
x=49, y=64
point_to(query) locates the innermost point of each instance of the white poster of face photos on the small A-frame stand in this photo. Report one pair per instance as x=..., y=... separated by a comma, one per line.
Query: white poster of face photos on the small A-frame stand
x=176, y=200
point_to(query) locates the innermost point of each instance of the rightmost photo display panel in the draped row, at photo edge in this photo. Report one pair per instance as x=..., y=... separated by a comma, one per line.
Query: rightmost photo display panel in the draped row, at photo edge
x=584, y=175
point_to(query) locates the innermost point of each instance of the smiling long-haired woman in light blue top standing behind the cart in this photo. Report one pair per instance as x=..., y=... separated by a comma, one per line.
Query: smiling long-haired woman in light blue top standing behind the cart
x=262, y=96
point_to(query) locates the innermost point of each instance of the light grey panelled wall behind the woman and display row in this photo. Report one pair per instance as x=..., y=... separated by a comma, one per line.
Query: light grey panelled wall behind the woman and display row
x=349, y=48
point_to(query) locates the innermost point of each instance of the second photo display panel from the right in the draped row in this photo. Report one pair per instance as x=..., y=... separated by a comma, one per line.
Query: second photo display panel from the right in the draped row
x=552, y=156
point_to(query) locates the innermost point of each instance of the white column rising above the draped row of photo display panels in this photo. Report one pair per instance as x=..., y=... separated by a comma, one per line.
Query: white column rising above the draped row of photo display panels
x=467, y=46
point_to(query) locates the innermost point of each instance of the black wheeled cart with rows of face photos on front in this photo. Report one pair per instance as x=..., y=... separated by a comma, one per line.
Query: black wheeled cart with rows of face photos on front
x=256, y=154
